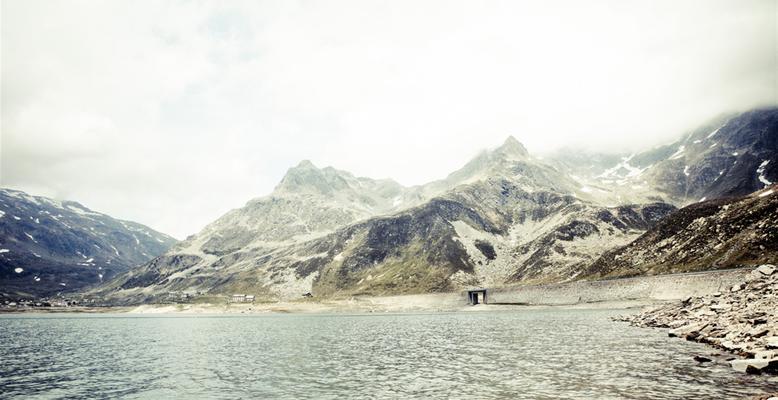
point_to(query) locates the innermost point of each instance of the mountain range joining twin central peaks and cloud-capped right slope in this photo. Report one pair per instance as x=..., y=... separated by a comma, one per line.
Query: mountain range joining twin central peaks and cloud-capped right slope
x=504, y=217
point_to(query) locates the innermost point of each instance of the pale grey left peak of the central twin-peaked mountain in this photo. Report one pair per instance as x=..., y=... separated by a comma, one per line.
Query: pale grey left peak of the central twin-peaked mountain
x=308, y=203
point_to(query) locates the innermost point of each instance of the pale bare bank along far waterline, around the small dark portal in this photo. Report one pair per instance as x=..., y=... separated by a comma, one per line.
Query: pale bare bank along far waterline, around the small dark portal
x=616, y=293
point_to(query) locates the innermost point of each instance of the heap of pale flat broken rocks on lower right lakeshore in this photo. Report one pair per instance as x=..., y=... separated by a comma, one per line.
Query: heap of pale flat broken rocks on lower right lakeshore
x=741, y=321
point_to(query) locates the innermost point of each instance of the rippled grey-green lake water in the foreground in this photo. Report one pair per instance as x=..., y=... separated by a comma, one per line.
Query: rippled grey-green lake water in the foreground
x=524, y=354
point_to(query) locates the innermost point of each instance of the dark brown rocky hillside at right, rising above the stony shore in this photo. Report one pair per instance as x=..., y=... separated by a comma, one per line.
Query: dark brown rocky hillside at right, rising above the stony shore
x=713, y=234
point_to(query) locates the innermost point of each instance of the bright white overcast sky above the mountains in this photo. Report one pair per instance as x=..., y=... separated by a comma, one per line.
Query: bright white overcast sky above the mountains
x=170, y=113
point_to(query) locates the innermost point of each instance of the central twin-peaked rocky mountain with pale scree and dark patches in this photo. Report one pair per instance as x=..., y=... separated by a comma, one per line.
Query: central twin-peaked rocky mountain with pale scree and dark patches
x=503, y=217
